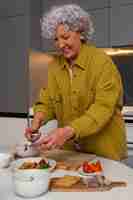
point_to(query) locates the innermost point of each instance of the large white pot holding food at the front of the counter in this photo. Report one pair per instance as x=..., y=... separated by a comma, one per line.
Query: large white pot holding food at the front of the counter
x=31, y=182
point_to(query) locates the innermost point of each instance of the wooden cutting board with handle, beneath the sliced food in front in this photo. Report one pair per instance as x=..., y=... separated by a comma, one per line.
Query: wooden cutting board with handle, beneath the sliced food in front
x=81, y=187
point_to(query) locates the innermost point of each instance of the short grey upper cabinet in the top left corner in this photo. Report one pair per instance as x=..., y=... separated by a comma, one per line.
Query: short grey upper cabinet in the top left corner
x=14, y=7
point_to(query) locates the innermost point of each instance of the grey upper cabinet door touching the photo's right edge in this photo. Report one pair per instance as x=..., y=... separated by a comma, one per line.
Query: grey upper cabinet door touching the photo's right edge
x=122, y=25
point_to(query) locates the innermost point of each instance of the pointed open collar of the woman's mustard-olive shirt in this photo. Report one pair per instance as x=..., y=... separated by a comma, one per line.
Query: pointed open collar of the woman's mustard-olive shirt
x=80, y=60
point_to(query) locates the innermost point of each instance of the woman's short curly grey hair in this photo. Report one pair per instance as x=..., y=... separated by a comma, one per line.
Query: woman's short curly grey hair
x=71, y=15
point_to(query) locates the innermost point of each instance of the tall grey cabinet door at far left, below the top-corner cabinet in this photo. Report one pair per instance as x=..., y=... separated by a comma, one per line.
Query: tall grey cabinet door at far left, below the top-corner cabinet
x=14, y=42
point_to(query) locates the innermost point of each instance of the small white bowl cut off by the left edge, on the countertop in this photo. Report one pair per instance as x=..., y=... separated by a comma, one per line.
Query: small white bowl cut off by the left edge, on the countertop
x=5, y=159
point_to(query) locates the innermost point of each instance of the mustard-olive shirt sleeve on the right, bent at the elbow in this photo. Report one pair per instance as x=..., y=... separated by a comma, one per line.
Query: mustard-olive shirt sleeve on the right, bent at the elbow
x=108, y=94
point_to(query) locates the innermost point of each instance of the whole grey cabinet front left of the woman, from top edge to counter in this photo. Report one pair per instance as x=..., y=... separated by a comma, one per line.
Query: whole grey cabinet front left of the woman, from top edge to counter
x=20, y=31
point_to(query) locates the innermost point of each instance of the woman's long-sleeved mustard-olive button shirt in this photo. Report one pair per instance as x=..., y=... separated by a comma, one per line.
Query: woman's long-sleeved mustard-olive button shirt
x=89, y=99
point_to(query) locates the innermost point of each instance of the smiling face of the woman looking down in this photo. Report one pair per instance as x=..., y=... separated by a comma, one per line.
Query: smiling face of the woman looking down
x=68, y=42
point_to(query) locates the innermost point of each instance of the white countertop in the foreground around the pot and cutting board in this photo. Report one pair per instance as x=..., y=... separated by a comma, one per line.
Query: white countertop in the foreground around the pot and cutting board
x=112, y=169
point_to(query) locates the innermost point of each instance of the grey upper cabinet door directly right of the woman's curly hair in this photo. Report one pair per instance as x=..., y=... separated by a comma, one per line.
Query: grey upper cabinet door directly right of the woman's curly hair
x=101, y=25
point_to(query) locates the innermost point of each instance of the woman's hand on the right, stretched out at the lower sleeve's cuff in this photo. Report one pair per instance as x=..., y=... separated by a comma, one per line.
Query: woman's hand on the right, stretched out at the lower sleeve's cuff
x=55, y=139
